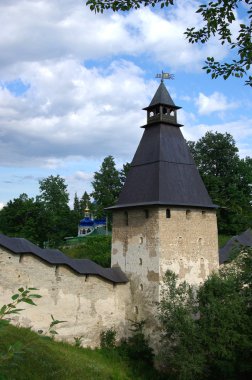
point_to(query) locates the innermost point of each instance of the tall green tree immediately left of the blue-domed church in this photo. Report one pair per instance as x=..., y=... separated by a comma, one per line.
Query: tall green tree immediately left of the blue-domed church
x=54, y=198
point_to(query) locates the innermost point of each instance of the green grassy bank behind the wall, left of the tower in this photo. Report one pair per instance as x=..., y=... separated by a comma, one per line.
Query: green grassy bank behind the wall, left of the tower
x=96, y=248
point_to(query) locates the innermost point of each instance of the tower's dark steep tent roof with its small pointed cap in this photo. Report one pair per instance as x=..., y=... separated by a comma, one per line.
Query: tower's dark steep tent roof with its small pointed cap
x=163, y=171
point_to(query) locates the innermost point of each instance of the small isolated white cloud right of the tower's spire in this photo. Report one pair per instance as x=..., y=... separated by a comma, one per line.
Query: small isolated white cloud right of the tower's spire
x=215, y=102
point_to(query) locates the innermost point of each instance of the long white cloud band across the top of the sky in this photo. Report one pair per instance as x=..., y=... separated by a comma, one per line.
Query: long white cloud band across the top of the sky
x=51, y=30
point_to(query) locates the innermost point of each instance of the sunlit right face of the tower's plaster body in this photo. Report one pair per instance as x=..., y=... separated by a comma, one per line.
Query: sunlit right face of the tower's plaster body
x=188, y=243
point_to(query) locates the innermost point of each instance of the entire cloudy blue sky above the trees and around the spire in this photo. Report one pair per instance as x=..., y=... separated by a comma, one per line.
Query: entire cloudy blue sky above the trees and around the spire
x=73, y=85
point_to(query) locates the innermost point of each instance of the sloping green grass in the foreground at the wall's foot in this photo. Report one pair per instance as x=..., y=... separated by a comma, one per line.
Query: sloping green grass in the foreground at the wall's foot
x=45, y=359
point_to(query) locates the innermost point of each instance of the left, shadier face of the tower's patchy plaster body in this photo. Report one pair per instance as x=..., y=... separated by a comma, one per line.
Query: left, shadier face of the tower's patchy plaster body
x=135, y=248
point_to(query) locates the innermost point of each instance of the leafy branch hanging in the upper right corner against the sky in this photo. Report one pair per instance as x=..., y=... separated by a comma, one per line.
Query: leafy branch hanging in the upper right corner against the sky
x=218, y=17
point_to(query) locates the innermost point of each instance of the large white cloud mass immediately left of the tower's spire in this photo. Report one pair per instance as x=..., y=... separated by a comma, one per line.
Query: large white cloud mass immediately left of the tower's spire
x=86, y=114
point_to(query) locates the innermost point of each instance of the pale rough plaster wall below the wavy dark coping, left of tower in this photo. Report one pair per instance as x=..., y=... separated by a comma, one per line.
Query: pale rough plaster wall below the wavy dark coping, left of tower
x=89, y=304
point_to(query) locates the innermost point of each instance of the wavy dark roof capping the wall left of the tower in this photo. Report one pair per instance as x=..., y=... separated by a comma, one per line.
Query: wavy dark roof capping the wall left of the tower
x=56, y=257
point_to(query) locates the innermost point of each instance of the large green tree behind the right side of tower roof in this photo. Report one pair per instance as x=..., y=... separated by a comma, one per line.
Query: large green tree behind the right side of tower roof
x=227, y=178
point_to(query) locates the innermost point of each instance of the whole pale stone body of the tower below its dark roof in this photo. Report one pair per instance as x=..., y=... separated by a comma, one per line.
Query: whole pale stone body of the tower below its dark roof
x=146, y=242
